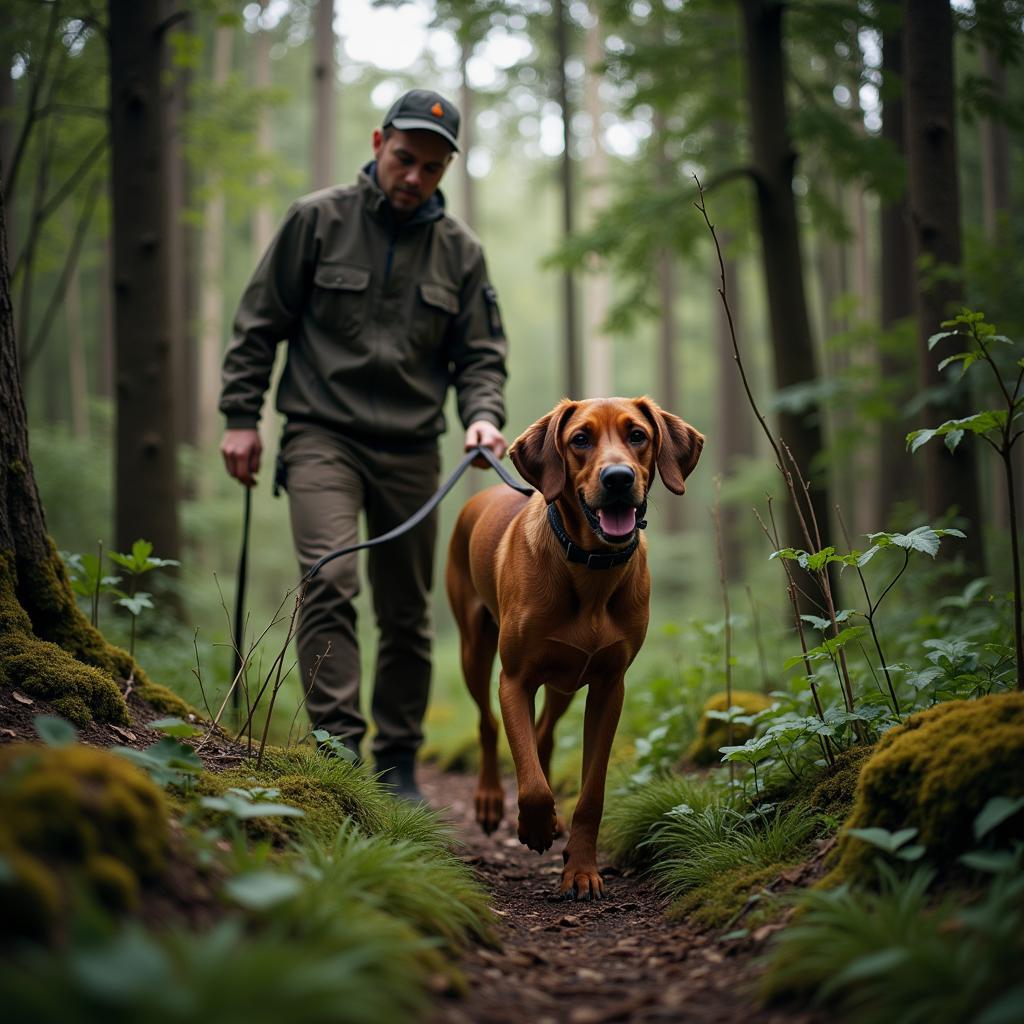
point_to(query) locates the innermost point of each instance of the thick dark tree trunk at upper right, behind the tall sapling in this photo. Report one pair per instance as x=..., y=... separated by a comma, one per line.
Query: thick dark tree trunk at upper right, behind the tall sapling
x=951, y=479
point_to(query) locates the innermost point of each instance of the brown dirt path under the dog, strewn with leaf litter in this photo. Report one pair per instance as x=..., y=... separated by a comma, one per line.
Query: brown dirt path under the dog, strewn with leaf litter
x=564, y=962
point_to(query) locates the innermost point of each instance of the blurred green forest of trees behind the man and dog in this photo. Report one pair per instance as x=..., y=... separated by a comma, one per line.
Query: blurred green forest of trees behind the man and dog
x=586, y=125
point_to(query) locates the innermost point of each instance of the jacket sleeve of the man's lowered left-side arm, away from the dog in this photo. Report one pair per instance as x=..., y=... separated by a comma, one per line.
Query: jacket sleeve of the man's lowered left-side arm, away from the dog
x=270, y=310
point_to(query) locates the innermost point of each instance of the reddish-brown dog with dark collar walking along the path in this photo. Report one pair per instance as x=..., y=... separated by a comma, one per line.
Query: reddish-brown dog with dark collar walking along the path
x=558, y=584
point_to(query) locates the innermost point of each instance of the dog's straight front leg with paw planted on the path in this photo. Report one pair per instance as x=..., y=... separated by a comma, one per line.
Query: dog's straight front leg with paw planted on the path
x=580, y=877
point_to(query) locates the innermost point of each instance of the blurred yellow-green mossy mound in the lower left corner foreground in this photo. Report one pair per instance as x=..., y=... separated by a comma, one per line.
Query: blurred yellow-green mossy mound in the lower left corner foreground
x=74, y=818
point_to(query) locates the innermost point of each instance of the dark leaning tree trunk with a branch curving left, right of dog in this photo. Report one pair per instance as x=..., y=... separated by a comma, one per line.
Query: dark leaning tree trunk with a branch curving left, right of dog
x=775, y=159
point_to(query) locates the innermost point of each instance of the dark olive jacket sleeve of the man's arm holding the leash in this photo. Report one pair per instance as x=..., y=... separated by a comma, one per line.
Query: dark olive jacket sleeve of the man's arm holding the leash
x=479, y=350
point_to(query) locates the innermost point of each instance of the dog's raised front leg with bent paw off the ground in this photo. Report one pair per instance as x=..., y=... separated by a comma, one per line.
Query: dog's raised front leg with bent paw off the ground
x=537, y=802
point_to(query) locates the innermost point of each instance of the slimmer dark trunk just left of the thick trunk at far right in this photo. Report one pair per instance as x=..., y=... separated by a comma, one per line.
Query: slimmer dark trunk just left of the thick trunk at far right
x=897, y=468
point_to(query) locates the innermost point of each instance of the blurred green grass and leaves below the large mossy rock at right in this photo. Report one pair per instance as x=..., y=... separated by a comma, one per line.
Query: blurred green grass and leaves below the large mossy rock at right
x=895, y=952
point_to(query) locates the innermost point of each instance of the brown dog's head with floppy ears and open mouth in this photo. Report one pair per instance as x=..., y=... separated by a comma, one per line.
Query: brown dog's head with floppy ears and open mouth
x=604, y=454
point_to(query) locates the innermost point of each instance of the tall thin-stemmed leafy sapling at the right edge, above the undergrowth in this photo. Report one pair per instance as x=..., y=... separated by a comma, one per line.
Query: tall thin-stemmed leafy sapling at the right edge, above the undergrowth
x=998, y=428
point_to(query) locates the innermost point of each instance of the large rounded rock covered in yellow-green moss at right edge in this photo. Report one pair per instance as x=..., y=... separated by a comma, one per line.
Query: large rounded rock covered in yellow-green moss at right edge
x=935, y=774
